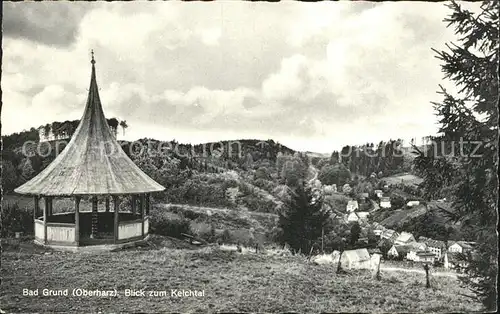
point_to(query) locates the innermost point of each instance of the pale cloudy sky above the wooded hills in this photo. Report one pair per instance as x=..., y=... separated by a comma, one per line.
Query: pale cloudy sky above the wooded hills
x=313, y=76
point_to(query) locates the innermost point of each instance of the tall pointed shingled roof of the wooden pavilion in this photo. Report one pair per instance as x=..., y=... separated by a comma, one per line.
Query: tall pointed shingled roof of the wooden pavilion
x=93, y=162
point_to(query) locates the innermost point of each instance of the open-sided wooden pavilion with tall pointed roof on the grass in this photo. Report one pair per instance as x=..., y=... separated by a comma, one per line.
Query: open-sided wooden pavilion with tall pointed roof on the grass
x=92, y=166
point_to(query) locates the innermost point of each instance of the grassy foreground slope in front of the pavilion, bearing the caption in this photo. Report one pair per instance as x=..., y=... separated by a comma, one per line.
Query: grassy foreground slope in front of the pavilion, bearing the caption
x=232, y=283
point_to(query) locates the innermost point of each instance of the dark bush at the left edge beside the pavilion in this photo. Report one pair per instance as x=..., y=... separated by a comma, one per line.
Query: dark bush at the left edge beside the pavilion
x=15, y=219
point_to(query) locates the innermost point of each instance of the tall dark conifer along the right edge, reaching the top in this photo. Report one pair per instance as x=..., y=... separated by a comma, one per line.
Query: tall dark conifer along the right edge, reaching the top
x=469, y=125
